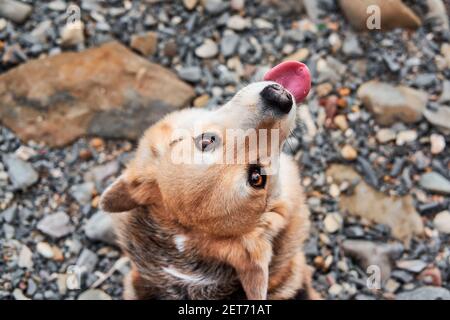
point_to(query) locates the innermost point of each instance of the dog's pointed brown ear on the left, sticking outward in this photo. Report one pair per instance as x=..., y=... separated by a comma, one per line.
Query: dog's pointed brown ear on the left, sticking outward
x=117, y=197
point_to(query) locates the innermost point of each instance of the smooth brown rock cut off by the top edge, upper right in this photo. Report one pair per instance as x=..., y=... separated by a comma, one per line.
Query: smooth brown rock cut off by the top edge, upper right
x=393, y=14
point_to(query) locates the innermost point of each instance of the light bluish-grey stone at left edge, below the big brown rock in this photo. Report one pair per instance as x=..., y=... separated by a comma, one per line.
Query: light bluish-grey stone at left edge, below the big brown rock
x=21, y=173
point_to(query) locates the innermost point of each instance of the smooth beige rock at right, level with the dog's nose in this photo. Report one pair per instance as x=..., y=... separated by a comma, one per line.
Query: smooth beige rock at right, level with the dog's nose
x=390, y=104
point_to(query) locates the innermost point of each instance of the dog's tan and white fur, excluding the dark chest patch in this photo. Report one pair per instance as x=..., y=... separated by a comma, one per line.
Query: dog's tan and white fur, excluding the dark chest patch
x=259, y=233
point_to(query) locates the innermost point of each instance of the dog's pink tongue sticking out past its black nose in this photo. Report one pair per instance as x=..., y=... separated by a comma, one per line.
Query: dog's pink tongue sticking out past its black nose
x=294, y=76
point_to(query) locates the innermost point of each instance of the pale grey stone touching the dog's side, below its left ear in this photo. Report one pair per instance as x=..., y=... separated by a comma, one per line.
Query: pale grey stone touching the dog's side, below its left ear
x=100, y=227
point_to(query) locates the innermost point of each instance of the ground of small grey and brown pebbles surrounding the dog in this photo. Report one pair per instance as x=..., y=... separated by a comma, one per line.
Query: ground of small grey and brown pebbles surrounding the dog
x=218, y=57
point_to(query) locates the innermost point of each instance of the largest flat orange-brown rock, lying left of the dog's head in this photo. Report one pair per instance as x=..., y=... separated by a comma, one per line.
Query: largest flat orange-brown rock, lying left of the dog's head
x=107, y=91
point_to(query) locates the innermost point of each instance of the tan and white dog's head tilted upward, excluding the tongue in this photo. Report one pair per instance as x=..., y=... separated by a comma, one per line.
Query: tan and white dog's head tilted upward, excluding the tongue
x=208, y=170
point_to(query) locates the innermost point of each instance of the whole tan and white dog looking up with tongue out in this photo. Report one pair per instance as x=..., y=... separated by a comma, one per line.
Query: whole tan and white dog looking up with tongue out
x=212, y=229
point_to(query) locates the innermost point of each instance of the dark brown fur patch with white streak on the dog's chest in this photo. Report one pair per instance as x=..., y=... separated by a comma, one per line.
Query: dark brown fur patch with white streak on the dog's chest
x=169, y=267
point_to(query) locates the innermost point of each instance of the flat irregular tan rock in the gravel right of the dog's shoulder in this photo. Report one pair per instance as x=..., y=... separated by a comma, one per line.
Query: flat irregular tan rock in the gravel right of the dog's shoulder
x=397, y=212
